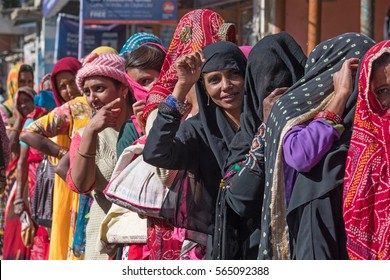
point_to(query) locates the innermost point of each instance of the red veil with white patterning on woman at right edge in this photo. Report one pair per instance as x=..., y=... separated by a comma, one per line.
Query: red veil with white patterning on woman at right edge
x=366, y=207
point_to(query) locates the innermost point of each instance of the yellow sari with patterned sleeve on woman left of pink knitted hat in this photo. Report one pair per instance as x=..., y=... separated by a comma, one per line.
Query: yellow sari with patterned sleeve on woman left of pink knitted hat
x=63, y=122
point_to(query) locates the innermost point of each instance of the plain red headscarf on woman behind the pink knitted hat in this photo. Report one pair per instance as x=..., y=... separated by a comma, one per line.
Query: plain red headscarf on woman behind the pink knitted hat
x=70, y=64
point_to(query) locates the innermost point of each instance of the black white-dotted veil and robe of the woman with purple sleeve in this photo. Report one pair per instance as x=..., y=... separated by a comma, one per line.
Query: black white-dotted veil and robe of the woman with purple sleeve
x=314, y=219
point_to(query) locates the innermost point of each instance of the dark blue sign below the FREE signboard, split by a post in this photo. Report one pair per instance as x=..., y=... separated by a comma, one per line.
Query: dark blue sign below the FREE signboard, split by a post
x=94, y=36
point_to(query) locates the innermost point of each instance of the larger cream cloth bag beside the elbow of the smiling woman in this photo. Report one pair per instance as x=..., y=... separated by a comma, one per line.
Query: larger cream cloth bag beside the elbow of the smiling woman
x=135, y=185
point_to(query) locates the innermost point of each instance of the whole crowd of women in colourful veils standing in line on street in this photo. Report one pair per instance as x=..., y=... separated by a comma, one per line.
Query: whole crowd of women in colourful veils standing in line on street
x=266, y=154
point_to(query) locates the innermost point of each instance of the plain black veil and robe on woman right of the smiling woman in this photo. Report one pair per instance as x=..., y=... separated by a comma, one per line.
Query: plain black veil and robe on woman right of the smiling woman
x=275, y=61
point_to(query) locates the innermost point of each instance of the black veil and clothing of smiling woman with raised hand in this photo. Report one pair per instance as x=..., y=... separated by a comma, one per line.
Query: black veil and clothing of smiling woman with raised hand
x=198, y=145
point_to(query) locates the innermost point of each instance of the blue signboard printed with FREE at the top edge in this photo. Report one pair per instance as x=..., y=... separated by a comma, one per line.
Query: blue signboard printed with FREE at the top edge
x=130, y=11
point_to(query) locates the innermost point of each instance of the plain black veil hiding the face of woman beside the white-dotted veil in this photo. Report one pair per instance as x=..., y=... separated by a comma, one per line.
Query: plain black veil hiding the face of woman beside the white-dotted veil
x=275, y=61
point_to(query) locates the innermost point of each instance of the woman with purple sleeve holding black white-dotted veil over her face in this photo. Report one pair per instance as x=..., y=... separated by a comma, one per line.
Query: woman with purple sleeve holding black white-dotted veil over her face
x=304, y=172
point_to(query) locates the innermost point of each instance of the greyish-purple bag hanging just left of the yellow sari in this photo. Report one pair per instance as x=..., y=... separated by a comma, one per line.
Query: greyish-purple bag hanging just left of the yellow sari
x=42, y=201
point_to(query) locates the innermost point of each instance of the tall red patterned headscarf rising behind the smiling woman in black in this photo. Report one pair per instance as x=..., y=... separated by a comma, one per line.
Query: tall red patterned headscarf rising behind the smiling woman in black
x=195, y=30
